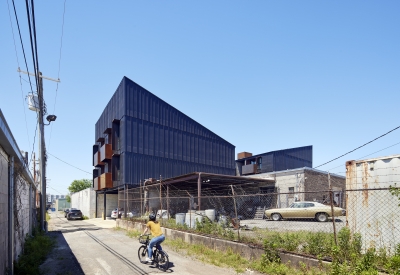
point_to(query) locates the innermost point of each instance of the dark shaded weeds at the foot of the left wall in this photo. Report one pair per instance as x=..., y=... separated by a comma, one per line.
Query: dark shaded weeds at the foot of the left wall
x=36, y=249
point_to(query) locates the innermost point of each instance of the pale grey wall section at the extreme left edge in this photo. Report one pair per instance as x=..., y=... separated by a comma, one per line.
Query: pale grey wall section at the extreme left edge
x=3, y=210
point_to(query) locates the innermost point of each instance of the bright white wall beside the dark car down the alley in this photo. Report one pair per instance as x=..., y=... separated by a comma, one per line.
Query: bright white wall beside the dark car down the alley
x=85, y=200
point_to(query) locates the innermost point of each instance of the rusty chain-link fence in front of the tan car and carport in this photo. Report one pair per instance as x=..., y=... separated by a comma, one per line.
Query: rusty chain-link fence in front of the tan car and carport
x=249, y=212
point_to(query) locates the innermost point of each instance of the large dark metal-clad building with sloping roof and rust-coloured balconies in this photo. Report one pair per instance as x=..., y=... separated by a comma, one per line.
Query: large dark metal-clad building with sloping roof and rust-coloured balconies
x=140, y=136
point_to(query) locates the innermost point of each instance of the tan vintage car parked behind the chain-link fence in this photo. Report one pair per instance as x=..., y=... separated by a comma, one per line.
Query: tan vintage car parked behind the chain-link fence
x=305, y=210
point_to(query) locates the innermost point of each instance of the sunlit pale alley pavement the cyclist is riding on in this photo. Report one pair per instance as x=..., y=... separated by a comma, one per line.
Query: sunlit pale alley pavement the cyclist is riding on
x=99, y=249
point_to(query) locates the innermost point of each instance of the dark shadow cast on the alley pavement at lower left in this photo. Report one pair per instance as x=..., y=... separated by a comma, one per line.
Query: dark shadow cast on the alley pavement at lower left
x=60, y=260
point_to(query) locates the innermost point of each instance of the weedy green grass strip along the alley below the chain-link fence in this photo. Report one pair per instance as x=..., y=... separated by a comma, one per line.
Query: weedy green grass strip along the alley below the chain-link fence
x=347, y=256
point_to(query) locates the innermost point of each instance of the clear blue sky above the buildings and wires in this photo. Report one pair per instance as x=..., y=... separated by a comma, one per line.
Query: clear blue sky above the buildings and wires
x=264, y=75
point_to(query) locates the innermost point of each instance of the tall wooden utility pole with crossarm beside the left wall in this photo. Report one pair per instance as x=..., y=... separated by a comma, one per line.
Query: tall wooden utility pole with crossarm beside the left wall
x=42, y=146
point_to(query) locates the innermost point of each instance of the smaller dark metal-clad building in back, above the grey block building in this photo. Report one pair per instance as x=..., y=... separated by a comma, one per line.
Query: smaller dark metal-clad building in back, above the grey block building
x=280, y=160
